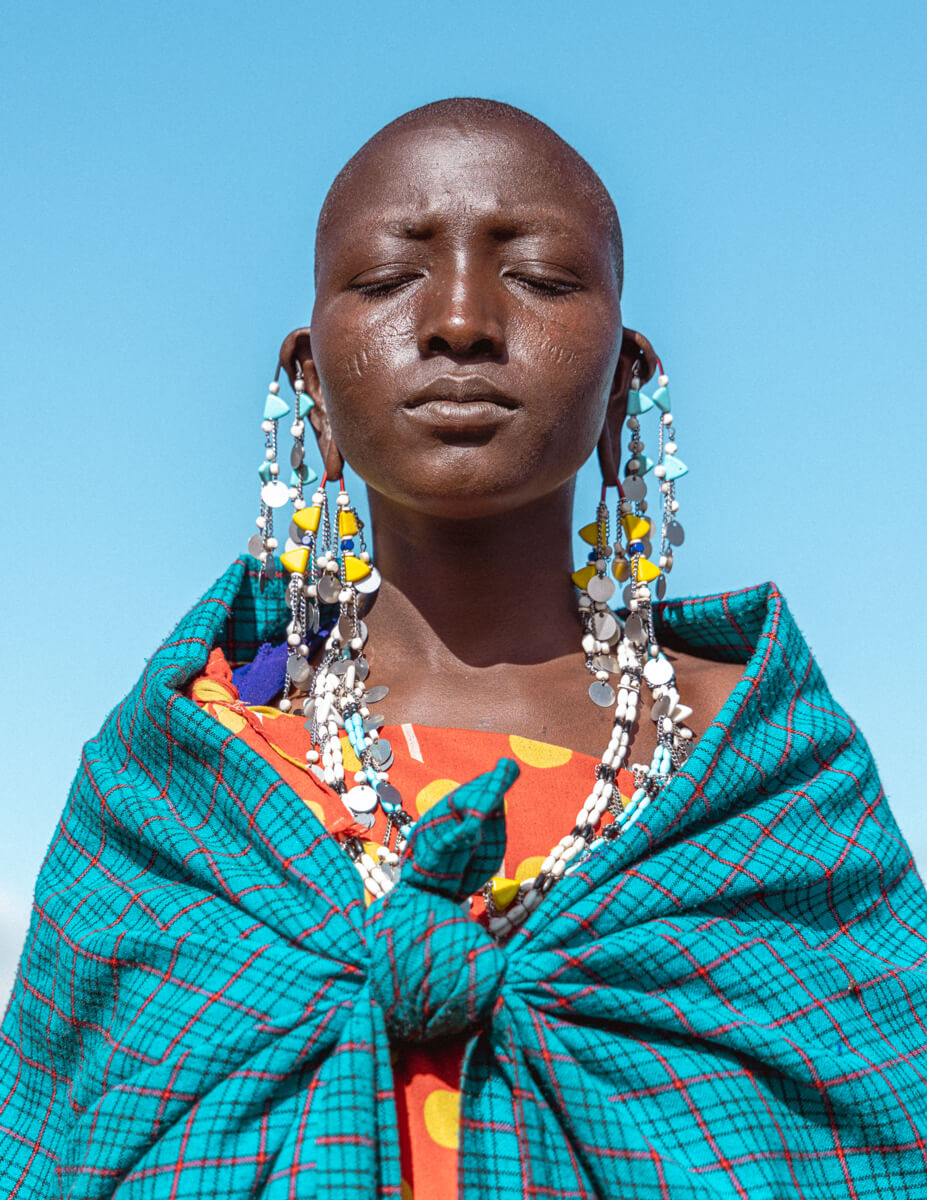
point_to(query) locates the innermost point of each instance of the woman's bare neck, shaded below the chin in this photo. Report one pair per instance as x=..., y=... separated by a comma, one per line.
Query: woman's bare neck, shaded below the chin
x=483, y=592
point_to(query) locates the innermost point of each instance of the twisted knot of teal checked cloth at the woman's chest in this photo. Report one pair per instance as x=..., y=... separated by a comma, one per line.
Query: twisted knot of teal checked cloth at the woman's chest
x=433, y=970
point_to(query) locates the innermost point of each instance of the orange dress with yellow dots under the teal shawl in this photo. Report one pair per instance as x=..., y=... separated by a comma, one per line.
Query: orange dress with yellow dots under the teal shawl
x=428, y=764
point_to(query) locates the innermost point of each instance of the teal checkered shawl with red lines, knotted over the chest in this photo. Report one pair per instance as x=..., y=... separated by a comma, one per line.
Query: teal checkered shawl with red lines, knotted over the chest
x=729, y=1001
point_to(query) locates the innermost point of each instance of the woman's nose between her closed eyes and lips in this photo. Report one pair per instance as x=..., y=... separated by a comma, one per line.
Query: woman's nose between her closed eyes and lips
x=463, y=320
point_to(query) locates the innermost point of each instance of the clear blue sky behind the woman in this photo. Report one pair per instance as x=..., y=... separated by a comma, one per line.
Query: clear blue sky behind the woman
x=163, y=169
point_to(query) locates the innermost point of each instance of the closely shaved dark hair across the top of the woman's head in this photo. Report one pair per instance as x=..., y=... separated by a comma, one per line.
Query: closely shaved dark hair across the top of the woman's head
x=470, y=117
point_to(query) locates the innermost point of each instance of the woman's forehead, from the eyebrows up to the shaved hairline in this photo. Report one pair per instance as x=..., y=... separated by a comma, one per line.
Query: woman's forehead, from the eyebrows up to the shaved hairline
x=504, y=173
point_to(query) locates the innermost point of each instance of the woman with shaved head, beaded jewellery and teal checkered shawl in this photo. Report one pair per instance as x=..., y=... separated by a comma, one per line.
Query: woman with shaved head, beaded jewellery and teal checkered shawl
x=641, y=969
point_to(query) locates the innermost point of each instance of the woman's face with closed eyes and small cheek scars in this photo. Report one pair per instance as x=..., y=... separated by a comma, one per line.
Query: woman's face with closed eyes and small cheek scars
x=468, y=327
